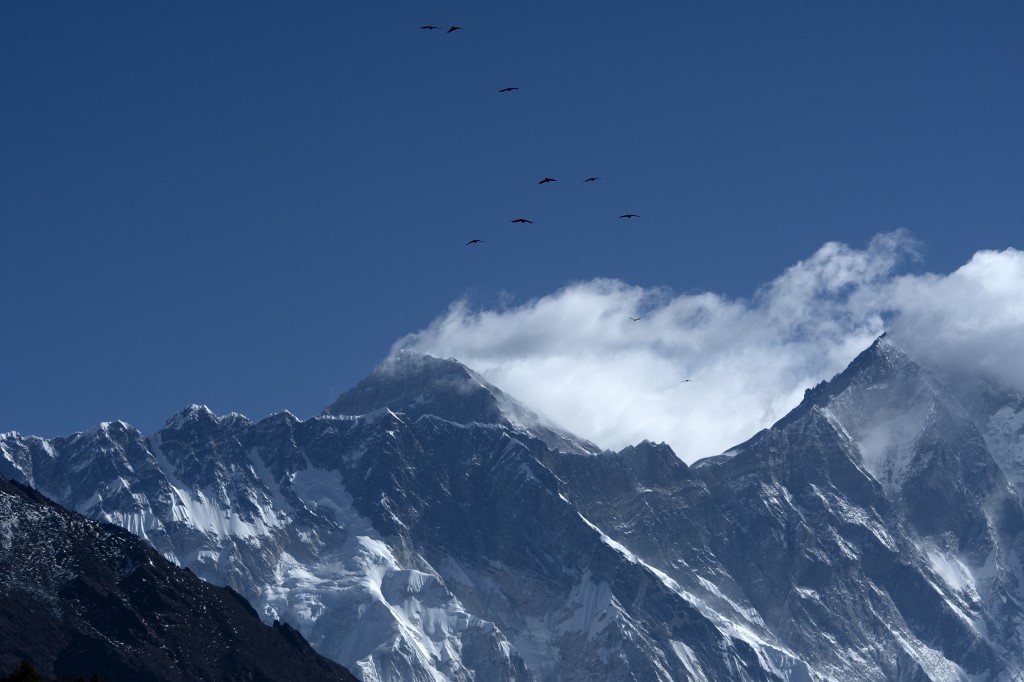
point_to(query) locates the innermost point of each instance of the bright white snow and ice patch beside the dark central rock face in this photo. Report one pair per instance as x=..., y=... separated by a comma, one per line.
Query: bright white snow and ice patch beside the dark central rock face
x=359, y=604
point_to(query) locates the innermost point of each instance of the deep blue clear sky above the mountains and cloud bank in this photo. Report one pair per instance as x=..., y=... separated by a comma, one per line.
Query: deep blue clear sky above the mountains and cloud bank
x=245, y=204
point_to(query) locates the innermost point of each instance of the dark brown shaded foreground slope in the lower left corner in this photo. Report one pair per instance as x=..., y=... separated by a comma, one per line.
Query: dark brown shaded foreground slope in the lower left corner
x=82, y=598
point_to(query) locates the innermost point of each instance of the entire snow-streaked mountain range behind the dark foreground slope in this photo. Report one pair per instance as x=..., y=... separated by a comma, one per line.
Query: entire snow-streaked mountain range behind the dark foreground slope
x=428, y=527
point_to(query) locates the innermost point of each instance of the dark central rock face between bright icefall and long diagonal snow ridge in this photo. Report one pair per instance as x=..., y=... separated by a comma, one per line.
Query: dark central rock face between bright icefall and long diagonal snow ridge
x=478, y=505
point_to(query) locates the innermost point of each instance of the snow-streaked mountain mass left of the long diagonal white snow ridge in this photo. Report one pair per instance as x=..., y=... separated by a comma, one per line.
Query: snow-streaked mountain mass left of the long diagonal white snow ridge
x=408, y=548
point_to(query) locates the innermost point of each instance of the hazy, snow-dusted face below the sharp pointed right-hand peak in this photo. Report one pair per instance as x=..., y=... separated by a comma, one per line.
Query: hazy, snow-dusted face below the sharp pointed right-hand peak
x=918, y=438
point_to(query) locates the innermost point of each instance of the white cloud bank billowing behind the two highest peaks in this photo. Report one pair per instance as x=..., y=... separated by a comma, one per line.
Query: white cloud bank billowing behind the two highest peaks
x=704, y=372
